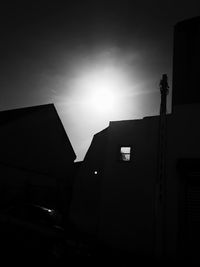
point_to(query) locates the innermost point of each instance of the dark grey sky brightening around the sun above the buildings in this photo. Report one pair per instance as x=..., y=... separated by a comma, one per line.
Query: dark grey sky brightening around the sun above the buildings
x=80, y=54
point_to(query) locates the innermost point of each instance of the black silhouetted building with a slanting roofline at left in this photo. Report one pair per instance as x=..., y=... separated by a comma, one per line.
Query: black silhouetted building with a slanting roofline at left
x=36, y=159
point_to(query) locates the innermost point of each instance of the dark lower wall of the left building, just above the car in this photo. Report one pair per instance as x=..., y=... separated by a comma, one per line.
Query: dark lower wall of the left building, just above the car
x=21, y=185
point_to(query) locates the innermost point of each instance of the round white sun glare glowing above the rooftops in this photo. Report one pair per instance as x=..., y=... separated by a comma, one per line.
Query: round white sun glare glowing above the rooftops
x=99, y=90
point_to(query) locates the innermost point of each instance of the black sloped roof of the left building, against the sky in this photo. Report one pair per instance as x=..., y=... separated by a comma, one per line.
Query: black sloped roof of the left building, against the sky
x=34, y=137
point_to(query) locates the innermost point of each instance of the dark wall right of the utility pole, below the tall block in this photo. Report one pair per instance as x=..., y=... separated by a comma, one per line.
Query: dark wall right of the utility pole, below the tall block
x=183, y=142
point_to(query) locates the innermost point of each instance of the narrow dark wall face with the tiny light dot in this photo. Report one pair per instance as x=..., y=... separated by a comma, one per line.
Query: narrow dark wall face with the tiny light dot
x=84, y=211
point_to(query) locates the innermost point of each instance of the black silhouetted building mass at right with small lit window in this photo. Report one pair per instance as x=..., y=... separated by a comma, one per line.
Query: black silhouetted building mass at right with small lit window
x=118, y=195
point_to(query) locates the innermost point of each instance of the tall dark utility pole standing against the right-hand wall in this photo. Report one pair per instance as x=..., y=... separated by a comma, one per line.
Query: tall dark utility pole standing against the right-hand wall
x=161, y=172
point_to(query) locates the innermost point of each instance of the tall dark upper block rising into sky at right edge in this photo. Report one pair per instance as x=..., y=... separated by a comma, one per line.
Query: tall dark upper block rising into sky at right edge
x=186, y=59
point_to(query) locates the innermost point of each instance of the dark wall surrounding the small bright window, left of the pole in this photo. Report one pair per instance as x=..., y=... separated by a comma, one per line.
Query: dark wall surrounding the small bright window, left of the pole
x=118, y=203
